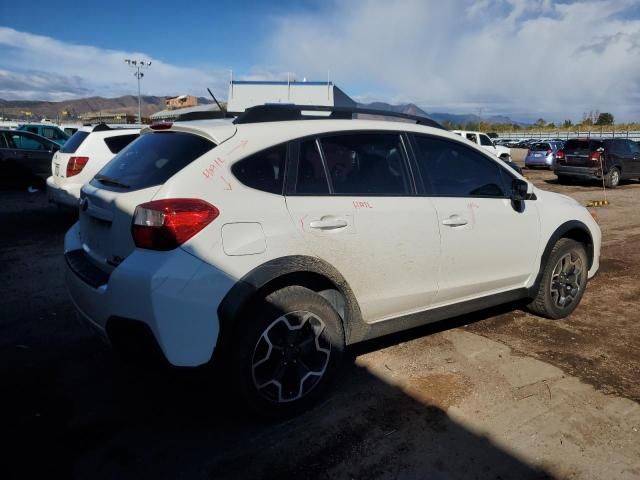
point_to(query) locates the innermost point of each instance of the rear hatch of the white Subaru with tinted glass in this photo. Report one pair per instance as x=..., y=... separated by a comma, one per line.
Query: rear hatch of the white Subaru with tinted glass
x=132, y=177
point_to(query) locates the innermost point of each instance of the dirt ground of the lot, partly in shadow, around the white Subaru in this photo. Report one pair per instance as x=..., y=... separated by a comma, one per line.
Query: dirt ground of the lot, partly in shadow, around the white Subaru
x=498, y=394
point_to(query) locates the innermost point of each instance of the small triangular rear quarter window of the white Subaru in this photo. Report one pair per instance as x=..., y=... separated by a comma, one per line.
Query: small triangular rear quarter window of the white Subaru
x=263, y=170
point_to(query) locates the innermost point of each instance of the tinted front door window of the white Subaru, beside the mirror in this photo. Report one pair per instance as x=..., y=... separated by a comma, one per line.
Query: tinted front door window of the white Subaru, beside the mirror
x=455, y=170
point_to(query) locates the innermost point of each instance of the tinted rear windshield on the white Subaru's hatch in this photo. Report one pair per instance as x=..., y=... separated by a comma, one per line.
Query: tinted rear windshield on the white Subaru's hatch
x=152, y=159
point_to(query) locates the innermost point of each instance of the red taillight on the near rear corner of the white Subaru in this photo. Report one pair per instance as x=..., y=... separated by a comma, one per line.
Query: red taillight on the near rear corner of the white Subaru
x=167, y=224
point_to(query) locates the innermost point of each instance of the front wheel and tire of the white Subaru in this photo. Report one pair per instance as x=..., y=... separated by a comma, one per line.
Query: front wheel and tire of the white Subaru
x=563, y=282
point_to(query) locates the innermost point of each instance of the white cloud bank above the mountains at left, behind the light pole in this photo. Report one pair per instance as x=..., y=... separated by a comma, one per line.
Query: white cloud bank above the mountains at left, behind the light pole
x=40, y=67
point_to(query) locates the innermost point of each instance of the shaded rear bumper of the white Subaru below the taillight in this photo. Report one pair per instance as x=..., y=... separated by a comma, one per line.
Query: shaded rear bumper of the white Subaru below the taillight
x=174, y=293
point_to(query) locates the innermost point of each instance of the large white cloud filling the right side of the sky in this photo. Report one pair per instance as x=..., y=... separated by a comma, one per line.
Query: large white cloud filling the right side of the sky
x=520, y=57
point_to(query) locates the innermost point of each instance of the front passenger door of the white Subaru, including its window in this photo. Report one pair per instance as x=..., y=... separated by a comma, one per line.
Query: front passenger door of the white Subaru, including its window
x=488, y=244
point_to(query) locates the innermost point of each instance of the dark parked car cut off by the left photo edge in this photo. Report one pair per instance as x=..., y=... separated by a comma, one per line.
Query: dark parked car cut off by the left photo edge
x=24, y=157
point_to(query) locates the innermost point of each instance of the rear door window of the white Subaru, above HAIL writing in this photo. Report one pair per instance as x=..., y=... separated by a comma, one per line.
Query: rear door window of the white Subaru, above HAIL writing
x=366, y=164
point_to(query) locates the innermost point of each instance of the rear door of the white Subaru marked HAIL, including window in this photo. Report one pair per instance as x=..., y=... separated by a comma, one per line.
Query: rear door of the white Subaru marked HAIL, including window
x=352, y=198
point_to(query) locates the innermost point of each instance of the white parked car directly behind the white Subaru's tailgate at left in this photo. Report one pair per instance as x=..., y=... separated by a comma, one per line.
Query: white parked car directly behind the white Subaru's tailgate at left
x=86, y=152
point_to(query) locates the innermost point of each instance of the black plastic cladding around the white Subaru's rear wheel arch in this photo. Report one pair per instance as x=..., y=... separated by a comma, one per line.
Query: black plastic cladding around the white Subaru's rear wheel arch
x=305, y=271
